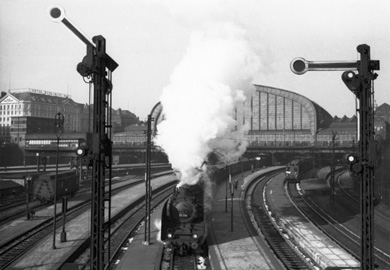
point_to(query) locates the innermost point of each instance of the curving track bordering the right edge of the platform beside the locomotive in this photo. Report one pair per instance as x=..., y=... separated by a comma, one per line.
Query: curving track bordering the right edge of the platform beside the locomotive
x=283, y=250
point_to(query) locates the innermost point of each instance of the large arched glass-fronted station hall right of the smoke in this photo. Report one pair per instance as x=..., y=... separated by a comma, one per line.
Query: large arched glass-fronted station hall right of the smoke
x=281, y=118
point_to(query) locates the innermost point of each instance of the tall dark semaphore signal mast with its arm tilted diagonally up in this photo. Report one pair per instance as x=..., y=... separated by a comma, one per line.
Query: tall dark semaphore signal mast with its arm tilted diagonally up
x=98, y=66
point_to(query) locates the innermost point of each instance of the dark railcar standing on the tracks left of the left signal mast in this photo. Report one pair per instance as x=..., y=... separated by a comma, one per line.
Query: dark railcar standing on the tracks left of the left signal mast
x=67, y=184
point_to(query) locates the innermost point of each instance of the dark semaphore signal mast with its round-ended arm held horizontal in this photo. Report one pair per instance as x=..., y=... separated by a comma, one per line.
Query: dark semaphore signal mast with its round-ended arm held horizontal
x=363, y=166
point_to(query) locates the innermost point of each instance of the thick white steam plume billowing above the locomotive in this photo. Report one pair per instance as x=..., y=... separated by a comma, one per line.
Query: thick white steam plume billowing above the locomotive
x=199, y=102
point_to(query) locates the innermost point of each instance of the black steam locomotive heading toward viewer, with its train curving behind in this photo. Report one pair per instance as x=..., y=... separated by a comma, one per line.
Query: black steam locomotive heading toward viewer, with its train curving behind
x=185, y=215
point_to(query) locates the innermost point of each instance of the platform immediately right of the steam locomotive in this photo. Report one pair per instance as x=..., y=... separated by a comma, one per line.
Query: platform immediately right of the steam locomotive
x=231, y=244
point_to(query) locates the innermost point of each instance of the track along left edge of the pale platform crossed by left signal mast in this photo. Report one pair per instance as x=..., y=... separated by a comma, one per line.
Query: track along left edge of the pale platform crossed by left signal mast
x=19, y=245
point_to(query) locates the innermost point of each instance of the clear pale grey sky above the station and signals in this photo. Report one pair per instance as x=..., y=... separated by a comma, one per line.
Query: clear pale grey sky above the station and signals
x=149, y=39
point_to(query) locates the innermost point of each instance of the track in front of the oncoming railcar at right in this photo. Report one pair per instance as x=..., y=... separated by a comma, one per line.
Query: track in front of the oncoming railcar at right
x=334, y=229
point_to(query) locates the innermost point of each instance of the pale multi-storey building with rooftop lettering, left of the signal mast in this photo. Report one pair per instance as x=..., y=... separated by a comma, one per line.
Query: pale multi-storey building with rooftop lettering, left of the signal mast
x=32, y=111
